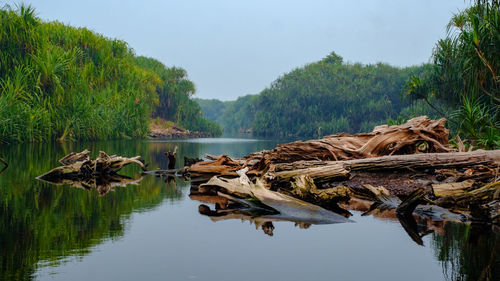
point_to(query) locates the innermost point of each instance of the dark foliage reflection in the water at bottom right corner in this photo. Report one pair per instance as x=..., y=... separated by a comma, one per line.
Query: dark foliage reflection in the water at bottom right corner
x=468, y=252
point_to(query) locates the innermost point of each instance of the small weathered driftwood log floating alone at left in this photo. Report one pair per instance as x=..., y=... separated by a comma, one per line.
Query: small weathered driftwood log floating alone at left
x=86, y=168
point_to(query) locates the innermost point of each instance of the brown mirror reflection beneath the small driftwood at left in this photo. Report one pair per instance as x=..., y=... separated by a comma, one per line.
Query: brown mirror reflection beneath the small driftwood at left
x=103, y=184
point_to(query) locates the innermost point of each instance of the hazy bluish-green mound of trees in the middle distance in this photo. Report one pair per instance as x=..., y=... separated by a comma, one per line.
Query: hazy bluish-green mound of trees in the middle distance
x=320, y=98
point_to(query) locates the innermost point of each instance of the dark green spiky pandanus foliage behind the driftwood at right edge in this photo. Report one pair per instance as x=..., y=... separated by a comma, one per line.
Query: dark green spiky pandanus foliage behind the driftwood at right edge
x=463, y=82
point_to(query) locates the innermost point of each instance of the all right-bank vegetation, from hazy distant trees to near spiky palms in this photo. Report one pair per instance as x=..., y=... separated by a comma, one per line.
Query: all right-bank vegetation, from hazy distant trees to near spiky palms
x=461, y=83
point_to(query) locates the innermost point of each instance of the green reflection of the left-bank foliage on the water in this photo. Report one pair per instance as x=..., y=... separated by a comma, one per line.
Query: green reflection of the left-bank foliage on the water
x=44, y=223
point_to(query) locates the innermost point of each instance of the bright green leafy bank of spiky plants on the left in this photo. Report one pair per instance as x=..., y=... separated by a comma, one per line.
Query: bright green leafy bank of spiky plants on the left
x=57, y=81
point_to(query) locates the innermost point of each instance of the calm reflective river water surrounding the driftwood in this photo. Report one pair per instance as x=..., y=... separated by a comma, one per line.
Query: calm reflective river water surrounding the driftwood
x=152, y=230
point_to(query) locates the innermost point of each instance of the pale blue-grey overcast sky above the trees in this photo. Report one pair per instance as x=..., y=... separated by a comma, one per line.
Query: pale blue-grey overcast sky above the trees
x=231, y=48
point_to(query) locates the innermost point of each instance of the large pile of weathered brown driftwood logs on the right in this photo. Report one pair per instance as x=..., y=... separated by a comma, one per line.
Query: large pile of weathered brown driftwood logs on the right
x=408, y=169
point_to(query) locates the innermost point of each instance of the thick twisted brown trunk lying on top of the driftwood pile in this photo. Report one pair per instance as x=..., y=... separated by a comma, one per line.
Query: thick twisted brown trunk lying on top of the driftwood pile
x=418, y=135
